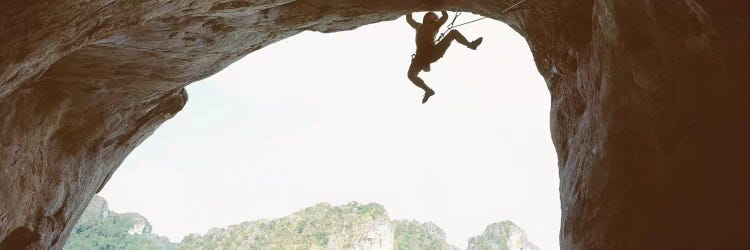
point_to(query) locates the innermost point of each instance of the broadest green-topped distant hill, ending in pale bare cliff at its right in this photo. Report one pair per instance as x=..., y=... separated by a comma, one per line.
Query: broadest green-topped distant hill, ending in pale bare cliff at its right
x=316, y=227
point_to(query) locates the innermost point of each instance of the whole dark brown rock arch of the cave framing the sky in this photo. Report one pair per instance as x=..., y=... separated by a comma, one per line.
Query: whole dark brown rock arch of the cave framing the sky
x=650, y=102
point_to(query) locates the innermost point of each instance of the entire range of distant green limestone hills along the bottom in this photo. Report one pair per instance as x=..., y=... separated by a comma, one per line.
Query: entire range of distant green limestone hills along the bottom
x=352, y=226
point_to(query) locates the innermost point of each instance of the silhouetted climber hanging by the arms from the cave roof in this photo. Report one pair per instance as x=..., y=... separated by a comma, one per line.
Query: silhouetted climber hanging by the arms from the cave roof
x=428, y=51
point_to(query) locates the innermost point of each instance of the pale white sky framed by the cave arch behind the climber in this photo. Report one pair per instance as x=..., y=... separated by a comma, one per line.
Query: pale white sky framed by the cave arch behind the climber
x=332, y=118
